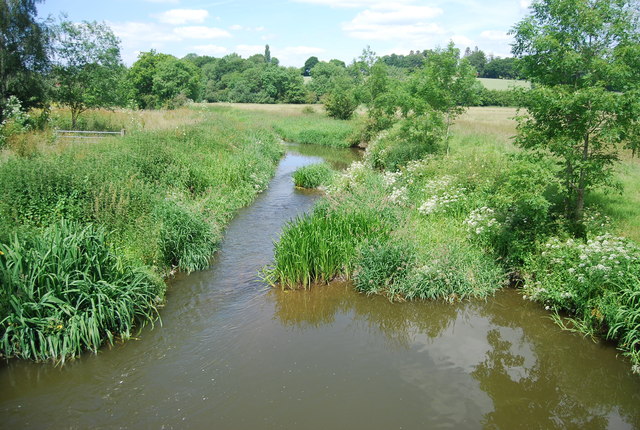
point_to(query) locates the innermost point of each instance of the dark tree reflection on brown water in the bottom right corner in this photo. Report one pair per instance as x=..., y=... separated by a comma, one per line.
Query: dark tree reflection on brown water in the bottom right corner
x=562, y=389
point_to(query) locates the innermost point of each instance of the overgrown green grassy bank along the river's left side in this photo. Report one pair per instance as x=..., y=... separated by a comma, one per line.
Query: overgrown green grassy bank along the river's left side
x=83, y=223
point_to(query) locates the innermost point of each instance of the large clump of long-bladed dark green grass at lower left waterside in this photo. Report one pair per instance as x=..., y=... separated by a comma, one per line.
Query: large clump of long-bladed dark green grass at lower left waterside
x=66, y=289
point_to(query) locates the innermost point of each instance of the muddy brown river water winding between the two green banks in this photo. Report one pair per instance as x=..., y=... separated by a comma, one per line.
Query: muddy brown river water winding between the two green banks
x=234, y=354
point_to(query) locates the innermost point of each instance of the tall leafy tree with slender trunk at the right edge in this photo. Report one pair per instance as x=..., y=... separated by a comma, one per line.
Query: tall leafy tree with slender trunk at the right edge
x=576, y=52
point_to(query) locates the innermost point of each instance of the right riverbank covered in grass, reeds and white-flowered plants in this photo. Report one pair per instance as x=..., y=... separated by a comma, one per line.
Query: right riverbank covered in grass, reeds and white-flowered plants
x=465, y=224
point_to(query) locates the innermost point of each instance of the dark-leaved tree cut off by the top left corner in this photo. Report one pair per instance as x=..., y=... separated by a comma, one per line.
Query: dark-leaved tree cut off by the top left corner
x=24, y=45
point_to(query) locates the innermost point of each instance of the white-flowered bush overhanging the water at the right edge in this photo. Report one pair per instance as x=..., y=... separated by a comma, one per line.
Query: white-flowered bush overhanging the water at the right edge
x=595, y=282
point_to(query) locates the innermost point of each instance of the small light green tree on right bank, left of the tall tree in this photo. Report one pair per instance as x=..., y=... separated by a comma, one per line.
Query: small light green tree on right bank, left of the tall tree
x=445, y=84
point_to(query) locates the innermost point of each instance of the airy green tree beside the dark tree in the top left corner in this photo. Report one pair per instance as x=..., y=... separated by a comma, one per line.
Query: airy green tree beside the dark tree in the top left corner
x=88, y=69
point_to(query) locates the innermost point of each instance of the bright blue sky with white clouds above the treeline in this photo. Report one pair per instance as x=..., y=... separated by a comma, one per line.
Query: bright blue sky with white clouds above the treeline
x=297, y=29
